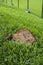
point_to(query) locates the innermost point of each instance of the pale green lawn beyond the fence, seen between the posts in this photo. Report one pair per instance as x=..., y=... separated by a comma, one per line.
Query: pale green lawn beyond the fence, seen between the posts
x=34, y=5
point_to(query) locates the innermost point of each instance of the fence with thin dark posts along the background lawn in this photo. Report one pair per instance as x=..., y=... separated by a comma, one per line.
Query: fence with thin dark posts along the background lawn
x=34, y=5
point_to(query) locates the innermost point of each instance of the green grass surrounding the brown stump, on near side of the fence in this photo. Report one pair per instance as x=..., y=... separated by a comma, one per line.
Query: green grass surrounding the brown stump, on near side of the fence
x=12, y=19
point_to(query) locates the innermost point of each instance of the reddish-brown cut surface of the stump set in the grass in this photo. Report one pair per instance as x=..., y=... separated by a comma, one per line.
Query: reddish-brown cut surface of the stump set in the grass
x=23, y=35
